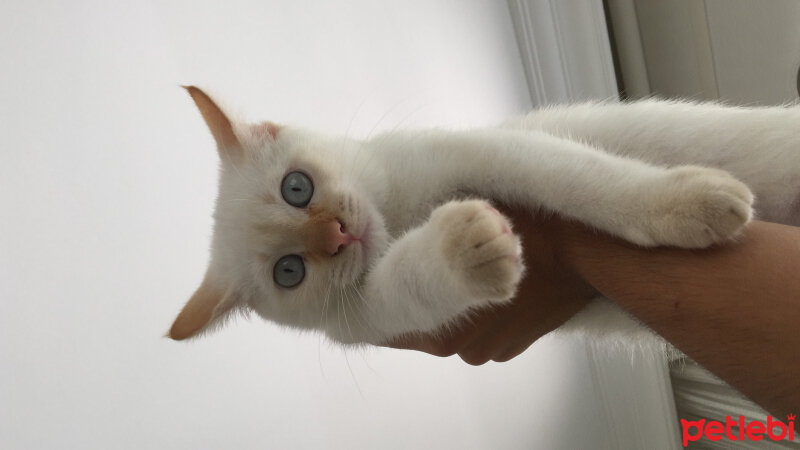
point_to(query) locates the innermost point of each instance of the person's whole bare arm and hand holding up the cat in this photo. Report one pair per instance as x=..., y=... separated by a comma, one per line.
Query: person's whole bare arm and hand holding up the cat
x=735, y=309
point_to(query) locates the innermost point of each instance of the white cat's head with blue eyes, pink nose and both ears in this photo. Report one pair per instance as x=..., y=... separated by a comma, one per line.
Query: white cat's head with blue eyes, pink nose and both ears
x=296, y=224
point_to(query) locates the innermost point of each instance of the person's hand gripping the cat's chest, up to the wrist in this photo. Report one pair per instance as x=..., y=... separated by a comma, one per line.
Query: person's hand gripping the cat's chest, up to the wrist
x=550, y=293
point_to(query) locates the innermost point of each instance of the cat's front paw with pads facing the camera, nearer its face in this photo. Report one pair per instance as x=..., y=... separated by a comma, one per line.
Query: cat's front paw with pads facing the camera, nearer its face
x=478, y=244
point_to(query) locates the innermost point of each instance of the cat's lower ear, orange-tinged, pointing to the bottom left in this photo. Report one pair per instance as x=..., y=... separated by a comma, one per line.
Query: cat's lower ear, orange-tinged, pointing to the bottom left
x=208, y=304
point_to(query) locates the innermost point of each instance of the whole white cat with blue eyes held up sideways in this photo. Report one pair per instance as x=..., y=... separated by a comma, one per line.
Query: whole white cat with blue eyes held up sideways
x=369, y=240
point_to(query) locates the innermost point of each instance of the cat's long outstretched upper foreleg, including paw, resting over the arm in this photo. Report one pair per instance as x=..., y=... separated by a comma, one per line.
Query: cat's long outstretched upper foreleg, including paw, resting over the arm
x=688, y=207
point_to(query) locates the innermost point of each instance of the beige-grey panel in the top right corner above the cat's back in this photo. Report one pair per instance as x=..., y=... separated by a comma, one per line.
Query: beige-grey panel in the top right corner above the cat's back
x=740, y=51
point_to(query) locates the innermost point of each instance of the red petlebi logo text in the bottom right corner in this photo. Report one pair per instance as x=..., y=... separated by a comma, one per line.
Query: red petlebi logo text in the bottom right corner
x=755, y=430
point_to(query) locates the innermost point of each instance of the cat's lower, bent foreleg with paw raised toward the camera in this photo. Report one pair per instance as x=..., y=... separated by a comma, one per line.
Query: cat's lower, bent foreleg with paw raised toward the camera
x=464, y=256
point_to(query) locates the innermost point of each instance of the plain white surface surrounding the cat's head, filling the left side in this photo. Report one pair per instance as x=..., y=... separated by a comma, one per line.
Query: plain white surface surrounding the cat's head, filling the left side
x=108, y=178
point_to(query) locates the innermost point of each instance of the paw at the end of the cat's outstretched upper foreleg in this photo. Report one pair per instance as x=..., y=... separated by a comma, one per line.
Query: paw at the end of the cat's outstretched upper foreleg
x=698, y=207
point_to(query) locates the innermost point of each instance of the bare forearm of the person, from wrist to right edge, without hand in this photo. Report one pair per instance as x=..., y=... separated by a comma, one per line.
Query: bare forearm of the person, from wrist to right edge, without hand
x=735, y=309
